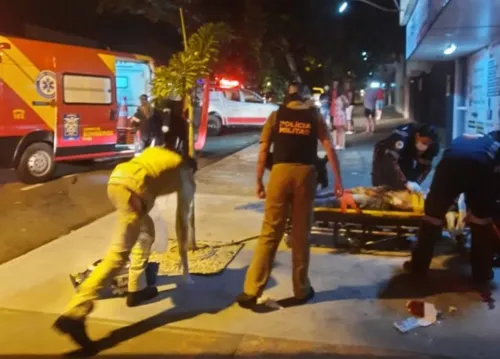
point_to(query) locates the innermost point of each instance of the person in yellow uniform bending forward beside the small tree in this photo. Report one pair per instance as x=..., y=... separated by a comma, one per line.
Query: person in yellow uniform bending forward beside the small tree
x=132, y=188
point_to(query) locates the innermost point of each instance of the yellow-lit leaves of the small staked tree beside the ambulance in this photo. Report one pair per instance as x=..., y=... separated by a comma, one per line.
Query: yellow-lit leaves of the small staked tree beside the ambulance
x=179, y=77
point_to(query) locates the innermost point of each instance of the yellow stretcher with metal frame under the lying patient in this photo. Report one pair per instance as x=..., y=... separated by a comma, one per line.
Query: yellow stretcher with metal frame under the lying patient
x=369, y=228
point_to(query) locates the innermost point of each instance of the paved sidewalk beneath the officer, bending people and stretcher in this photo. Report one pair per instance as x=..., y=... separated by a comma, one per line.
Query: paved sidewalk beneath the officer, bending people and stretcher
x=358, y=297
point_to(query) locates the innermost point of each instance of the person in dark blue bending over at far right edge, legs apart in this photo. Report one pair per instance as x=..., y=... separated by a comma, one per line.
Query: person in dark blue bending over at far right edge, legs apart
x=468, y=166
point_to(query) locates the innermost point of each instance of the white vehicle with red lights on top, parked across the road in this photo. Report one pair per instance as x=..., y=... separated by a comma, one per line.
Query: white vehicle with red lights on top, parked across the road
x=234, y=107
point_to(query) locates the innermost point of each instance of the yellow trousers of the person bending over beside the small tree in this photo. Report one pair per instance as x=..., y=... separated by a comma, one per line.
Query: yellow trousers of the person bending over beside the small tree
x=133, y=238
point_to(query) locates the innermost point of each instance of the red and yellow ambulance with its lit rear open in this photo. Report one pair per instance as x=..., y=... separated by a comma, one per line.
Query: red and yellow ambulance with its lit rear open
x=63, y=103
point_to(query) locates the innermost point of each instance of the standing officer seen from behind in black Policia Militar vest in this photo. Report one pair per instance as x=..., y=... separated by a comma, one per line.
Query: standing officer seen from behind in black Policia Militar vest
x=294, y=130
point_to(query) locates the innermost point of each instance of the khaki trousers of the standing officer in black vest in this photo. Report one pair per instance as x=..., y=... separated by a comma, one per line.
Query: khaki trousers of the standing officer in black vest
x=290, y=186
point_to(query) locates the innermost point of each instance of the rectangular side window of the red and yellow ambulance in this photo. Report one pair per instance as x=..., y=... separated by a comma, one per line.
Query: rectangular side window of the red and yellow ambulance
x=84, y=89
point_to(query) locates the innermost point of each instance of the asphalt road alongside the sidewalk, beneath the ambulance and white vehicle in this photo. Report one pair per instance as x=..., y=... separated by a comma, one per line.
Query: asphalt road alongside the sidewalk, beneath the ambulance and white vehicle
x=33, y=215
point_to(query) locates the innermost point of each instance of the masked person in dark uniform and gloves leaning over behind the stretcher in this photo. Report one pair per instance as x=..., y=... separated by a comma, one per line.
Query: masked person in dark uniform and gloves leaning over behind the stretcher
x=404, y=159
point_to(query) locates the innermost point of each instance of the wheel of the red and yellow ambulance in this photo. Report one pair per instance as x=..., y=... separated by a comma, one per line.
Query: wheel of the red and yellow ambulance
x=37, y=163
